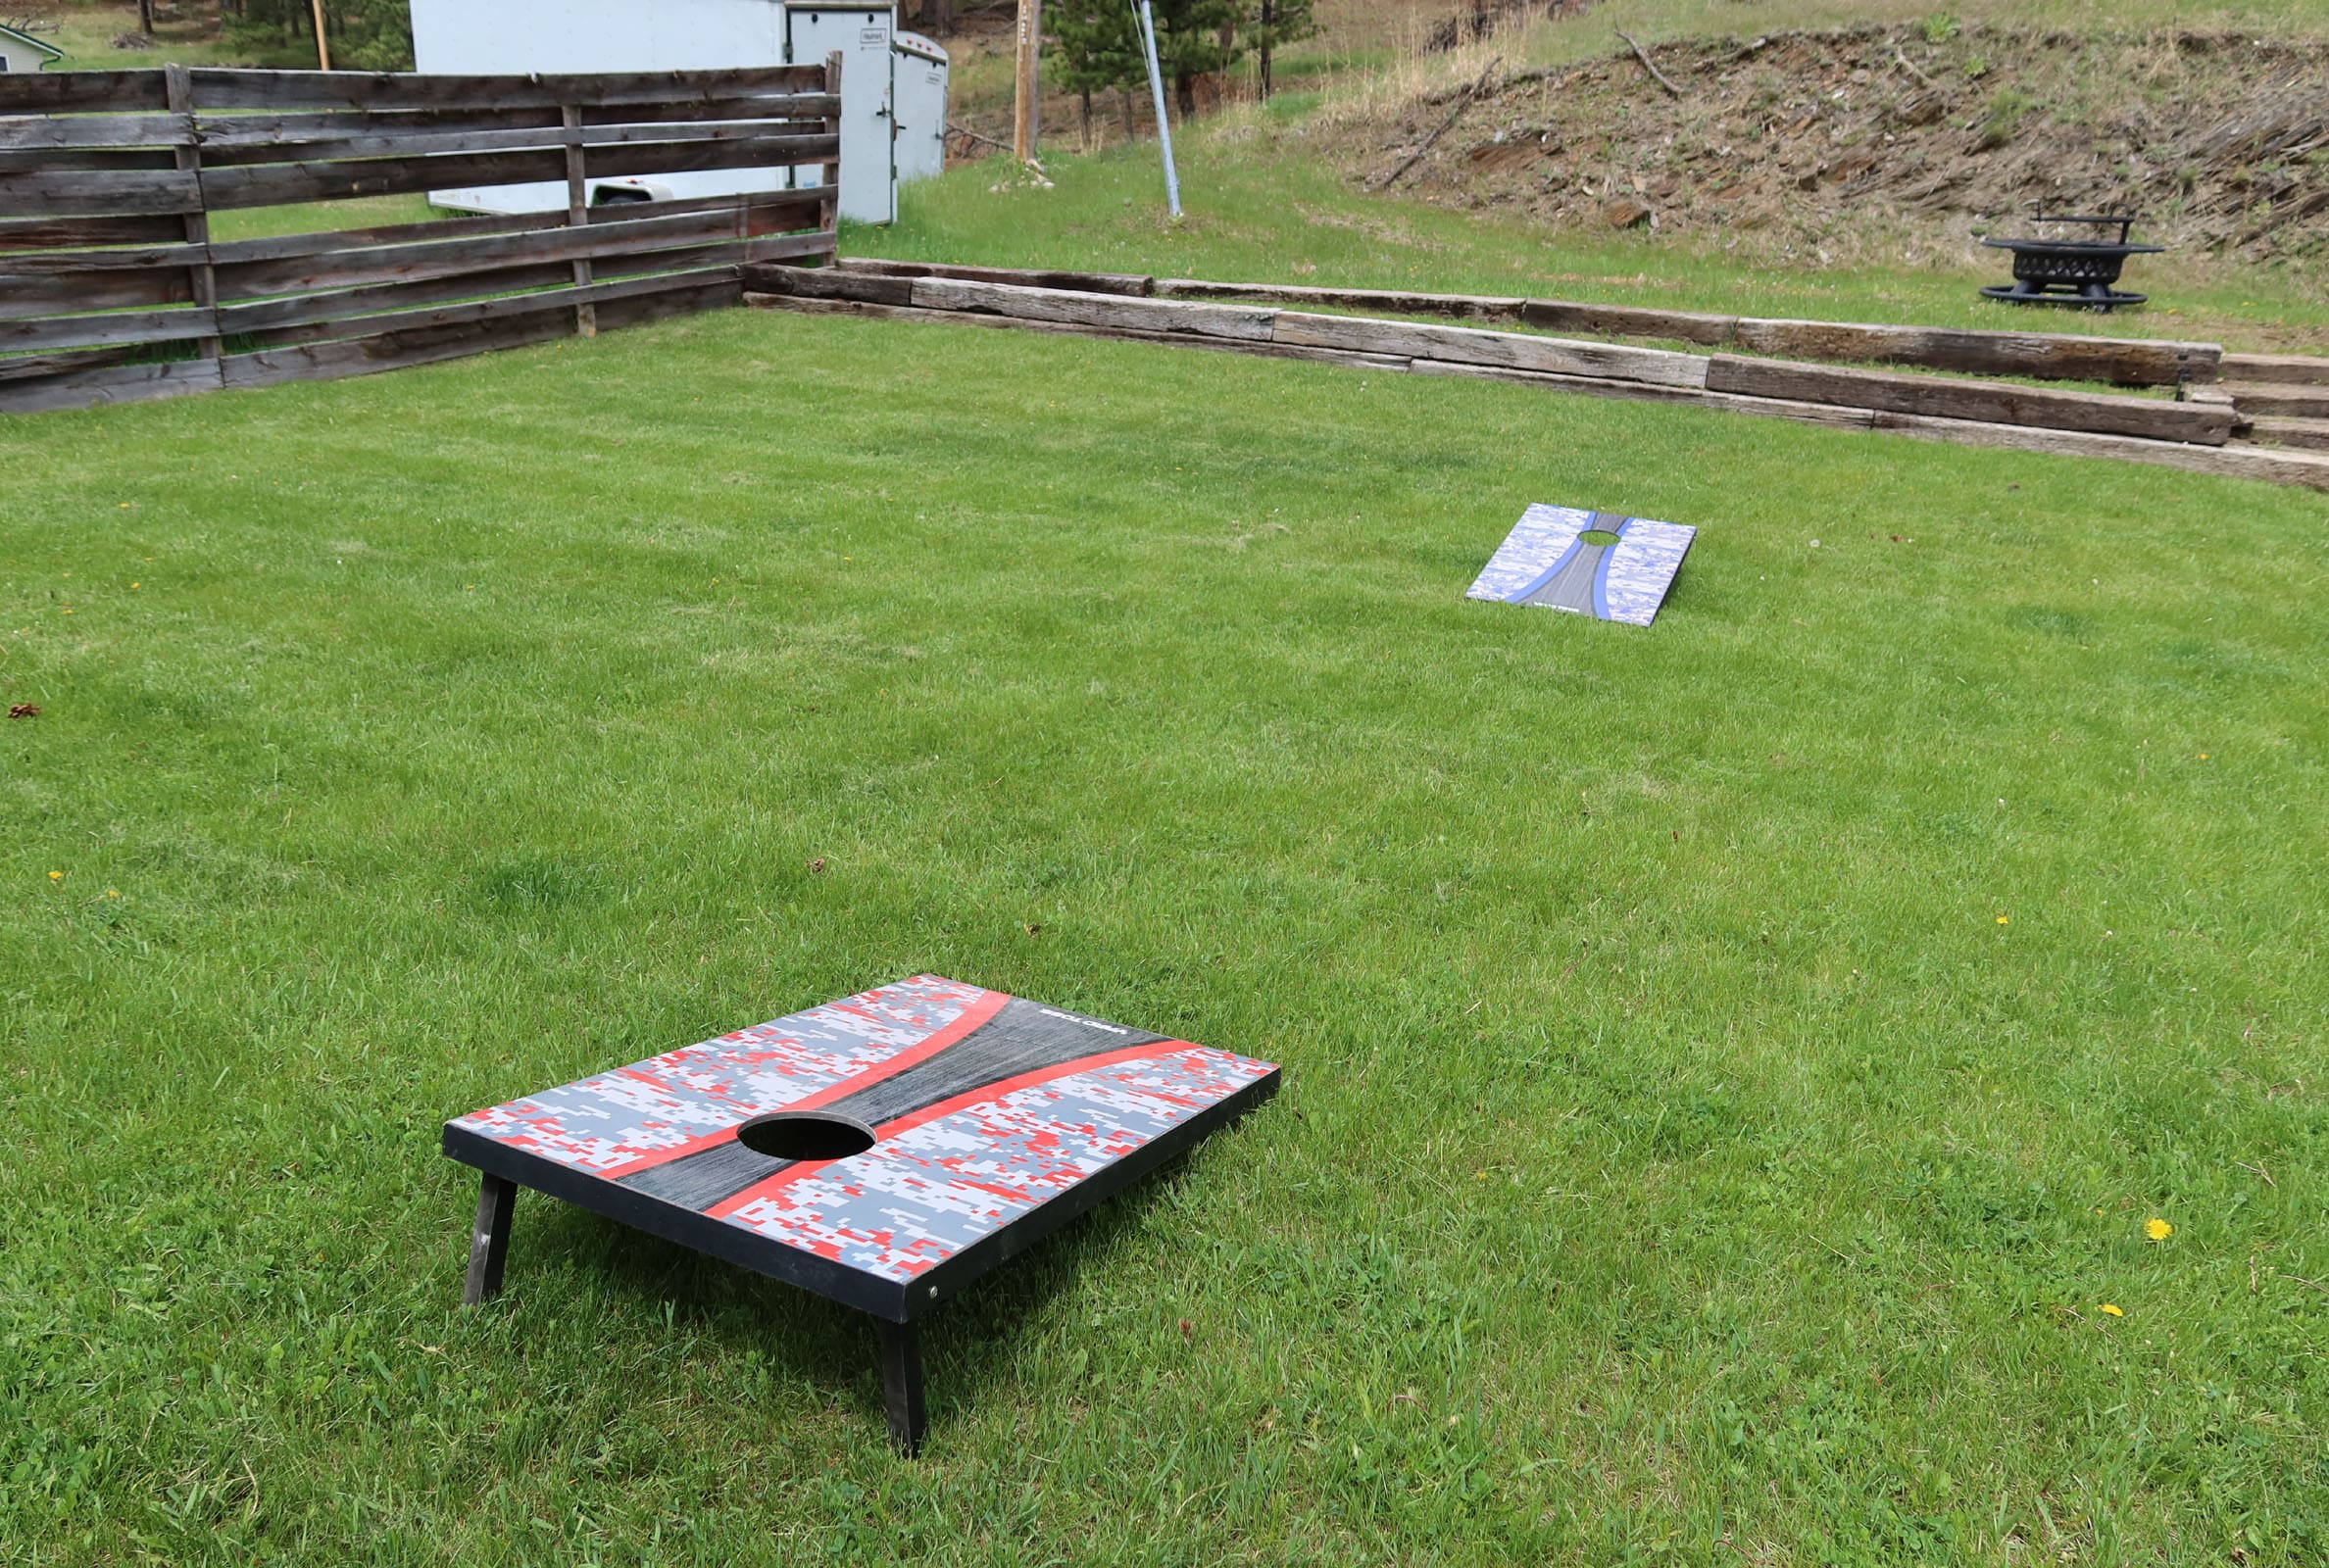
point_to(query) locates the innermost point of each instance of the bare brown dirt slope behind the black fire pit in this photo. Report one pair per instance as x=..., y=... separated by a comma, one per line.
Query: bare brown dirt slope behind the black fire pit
x=1836, y=143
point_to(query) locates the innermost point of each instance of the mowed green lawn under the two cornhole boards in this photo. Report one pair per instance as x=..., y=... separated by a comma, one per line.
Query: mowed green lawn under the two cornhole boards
x=1729, y=1068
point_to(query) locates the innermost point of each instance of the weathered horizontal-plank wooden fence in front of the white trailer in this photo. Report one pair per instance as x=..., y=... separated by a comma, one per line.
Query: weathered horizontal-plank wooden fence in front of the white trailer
x=111, y=285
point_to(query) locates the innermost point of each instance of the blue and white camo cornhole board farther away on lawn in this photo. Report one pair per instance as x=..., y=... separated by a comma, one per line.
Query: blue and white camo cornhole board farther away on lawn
x=1548, y=563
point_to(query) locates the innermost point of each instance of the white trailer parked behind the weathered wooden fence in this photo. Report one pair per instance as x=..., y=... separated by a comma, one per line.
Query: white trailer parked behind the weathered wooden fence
x=621, y=36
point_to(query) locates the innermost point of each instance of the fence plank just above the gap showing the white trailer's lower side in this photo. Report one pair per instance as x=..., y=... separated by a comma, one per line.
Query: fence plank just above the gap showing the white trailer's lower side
x=274, y=185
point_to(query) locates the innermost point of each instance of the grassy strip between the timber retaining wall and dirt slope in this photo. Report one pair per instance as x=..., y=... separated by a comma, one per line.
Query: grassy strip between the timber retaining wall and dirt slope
x=1266, y=202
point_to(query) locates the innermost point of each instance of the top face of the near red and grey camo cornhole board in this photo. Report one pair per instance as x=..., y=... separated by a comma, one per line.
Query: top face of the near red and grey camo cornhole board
x=984, y=1108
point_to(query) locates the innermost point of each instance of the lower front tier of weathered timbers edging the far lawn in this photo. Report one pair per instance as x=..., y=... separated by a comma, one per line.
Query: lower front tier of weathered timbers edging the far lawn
x=2186, y=435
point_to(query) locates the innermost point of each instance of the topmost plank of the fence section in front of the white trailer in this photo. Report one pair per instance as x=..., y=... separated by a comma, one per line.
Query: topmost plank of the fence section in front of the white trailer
x=353, y=90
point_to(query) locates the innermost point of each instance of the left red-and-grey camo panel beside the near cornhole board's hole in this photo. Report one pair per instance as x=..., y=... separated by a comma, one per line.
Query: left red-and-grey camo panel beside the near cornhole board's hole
x=677, y=1099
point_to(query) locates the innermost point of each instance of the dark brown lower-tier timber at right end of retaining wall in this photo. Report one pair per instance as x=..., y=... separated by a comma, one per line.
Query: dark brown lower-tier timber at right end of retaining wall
x=1981, y=402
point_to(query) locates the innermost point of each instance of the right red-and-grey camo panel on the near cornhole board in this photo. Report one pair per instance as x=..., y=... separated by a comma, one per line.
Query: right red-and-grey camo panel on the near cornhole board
x=930, y=1192
